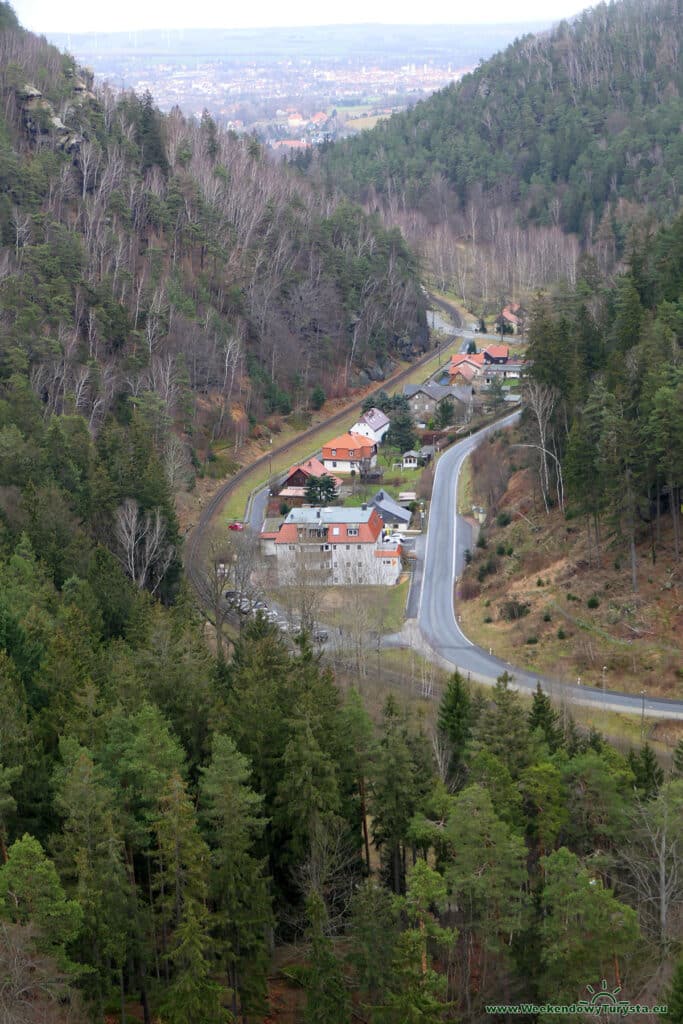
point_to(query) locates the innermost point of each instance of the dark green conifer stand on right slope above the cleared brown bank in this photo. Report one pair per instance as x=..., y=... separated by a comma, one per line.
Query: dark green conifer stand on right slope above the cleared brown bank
x=606, y=396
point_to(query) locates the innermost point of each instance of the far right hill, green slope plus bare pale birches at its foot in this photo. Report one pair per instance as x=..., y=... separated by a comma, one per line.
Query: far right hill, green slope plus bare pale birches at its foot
x=568, y=142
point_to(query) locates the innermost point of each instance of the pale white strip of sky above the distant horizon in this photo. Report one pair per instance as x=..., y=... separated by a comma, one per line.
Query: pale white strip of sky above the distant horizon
x=115, y=16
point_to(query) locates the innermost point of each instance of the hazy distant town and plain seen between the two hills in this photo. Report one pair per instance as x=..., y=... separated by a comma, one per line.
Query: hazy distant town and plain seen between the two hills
x=292, y=89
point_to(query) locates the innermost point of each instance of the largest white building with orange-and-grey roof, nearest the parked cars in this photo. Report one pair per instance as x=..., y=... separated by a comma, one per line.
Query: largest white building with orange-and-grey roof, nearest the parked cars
x=333, y=546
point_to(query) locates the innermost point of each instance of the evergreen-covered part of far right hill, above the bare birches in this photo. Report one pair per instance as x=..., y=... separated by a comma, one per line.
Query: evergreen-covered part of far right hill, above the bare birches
x=575, y=127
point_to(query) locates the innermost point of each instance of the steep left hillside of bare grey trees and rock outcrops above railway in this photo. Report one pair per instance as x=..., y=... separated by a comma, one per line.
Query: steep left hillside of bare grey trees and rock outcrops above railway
x=165, y=264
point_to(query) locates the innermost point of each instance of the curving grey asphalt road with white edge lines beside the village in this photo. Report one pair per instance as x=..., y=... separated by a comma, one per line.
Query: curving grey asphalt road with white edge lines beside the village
x=437, y=617
